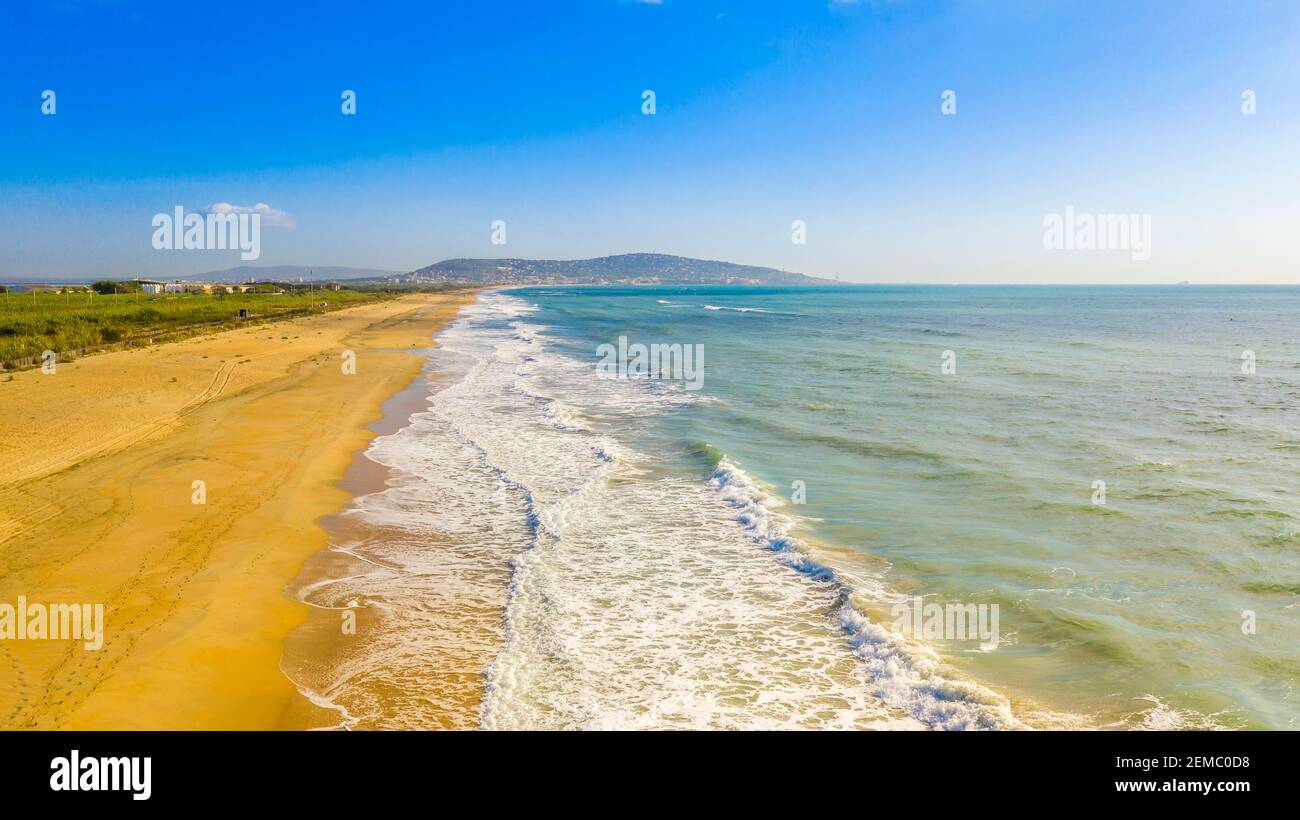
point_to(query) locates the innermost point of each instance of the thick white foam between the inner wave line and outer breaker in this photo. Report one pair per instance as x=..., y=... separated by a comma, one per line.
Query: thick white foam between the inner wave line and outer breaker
x=649, y=597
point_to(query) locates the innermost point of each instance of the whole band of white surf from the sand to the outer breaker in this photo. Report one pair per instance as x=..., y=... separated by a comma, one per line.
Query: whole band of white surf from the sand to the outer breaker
x=640, y=596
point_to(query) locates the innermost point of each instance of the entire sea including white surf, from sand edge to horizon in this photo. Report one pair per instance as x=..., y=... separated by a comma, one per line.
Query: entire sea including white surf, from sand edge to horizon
x=762, y=540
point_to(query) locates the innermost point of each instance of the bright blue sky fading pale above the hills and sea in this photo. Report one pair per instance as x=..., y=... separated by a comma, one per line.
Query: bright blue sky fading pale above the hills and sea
x=766, y=114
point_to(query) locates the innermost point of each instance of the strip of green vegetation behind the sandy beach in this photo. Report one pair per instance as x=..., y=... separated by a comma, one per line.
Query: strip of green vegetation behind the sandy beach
x=72, y=323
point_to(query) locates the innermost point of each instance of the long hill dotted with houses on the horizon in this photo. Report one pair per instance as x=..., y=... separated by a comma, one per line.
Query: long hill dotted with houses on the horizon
x=623, y=270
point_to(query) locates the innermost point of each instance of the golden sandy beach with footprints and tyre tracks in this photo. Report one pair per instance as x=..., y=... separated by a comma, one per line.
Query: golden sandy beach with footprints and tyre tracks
x=101, y=504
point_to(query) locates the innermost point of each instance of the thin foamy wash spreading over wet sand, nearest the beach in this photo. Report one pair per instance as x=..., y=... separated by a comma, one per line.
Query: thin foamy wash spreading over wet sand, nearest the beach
x=432, y=553
